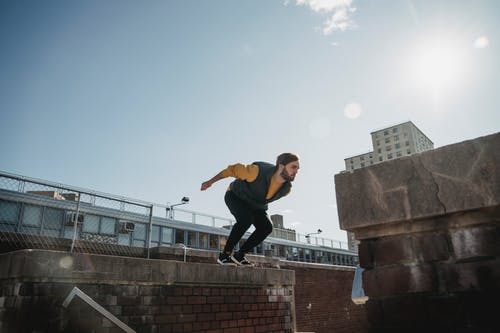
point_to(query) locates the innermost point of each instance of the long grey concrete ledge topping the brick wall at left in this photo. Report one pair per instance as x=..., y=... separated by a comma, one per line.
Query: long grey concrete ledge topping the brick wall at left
x=55, y=266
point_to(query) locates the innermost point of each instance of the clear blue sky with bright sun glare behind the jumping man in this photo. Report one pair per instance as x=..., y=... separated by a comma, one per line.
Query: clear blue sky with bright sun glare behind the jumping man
x=147, y=99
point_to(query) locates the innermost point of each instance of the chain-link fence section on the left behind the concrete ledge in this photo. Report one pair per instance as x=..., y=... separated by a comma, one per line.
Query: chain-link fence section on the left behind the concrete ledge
x=42, y=215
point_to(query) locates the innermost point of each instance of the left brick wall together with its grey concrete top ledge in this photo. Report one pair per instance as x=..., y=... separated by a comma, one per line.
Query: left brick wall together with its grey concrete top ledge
x=153, y=296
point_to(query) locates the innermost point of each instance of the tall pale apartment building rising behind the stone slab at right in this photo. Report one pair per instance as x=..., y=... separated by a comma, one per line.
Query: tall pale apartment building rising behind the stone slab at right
x=388, y=143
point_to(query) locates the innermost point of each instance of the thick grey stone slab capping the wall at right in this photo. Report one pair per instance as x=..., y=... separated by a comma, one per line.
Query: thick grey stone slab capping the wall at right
x=455, y=178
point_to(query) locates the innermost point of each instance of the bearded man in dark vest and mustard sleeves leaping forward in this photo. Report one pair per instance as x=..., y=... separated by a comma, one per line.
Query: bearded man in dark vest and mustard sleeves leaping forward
x=247, y=197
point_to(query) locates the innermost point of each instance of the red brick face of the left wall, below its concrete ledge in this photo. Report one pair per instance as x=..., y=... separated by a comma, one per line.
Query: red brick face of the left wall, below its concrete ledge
x=36, y=307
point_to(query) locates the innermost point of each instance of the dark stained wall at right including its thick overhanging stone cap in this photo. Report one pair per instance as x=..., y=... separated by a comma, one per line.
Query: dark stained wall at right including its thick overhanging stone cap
x=430, y=237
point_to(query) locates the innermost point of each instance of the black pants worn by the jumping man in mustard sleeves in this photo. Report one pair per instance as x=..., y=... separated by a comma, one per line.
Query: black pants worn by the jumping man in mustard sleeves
x=245, y=217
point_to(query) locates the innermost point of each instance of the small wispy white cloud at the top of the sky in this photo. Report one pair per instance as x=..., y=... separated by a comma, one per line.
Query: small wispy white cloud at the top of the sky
x=339, y=12
